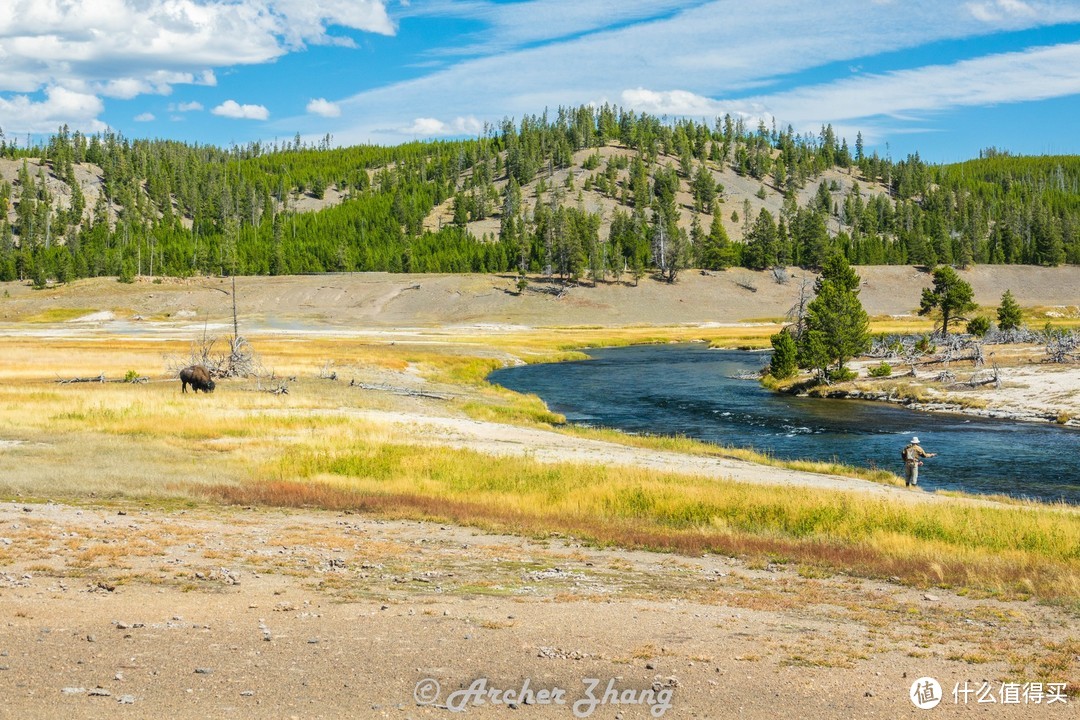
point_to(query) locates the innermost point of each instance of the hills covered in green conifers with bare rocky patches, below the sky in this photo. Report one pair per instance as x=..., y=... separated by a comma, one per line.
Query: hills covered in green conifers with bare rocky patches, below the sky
x=599, y=194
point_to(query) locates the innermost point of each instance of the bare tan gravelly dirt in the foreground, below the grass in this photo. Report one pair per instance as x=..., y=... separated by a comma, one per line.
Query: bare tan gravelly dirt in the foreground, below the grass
x=255, y=614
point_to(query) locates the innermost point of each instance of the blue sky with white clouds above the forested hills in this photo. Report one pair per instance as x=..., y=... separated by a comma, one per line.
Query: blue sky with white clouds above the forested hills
x=942, y=78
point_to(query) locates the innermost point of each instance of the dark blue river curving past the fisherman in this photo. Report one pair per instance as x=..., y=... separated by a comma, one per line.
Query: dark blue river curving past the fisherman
x=691, y=390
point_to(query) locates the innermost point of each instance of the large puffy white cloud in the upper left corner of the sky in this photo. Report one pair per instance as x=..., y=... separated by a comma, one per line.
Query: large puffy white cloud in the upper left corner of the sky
x=124, y=49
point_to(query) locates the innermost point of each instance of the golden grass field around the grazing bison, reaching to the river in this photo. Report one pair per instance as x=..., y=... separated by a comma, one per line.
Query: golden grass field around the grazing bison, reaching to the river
x=148, y=443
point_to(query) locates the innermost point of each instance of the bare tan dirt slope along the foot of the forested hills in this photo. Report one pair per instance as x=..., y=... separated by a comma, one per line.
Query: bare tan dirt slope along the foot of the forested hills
x=383, y=301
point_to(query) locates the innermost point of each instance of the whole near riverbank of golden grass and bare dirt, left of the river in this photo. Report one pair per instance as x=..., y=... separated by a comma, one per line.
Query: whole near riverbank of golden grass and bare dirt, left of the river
x=393, y=518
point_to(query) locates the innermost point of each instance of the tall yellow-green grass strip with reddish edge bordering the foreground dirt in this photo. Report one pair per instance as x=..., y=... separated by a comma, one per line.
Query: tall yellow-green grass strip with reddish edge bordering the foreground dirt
x=1005, y=551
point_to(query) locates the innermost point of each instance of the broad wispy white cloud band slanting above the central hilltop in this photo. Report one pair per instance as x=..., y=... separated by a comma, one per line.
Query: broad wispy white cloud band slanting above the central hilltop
x=673, y=62
